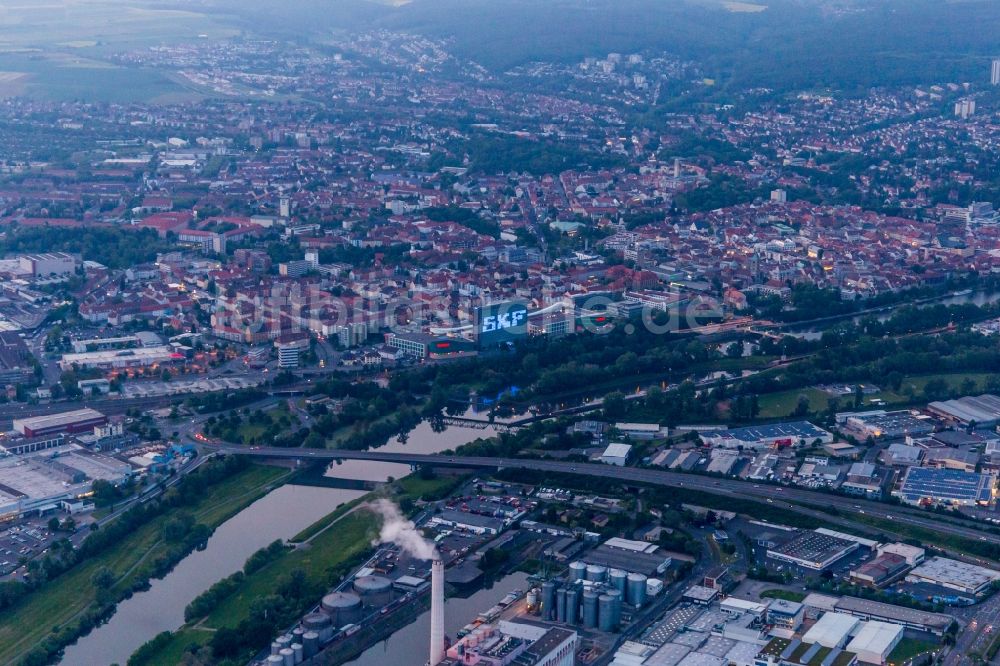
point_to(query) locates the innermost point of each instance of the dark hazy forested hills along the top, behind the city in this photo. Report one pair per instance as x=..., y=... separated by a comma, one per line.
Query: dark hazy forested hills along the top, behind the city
x=791, y=44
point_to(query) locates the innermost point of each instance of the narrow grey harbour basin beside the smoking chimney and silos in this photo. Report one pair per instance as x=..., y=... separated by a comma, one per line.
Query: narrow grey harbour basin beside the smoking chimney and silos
x=408, y=645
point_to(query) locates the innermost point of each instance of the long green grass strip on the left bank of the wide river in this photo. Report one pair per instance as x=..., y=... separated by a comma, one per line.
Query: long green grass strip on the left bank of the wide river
x=61, y=600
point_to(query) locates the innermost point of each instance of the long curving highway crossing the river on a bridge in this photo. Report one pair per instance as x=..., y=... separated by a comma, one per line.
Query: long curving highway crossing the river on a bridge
x=778, y=495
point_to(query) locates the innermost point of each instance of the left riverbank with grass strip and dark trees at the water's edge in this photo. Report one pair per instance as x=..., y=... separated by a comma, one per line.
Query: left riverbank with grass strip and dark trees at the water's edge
x=50, y=617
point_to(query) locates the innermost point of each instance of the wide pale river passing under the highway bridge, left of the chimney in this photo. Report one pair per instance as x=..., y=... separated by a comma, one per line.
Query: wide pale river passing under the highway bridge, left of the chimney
x=281, y=514
